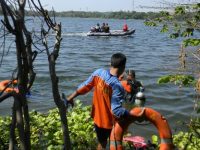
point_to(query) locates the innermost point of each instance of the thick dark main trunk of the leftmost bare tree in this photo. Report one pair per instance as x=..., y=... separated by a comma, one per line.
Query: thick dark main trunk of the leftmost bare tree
x=23, y=77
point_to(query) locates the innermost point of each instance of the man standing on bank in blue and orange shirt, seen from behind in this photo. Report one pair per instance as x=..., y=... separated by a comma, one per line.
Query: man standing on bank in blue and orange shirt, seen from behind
x=108, y=95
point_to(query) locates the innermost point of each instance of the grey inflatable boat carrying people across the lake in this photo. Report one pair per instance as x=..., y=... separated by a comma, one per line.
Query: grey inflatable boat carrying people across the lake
x=112, y=33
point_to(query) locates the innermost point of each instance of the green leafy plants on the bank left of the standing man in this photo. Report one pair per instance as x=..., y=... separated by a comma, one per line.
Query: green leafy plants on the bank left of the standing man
x=46, y=132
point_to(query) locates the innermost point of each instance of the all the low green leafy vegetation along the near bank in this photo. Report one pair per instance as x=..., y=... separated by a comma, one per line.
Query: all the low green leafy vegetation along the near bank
x=46, y=131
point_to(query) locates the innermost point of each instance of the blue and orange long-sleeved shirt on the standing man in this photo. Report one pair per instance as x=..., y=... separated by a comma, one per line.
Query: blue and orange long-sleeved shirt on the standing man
x=107, y=97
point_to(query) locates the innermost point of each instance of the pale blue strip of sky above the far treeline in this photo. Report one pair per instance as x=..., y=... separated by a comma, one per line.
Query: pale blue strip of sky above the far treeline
x=107, y=5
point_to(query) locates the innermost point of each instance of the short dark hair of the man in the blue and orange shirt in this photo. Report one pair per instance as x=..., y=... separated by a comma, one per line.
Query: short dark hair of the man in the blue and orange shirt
x=118, y=60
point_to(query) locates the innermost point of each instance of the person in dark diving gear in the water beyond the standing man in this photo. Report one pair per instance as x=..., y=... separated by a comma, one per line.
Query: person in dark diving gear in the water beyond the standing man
x=131, y=86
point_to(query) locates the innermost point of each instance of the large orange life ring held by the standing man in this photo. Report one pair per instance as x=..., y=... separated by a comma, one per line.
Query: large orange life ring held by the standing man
x=141, y=113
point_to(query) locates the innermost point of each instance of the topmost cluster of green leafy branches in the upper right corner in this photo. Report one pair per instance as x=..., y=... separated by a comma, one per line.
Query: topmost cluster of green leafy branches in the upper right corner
x=183, y=22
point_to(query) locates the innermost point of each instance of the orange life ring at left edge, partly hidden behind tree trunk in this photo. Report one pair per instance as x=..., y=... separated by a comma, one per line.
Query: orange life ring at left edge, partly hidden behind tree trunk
x=3, y=85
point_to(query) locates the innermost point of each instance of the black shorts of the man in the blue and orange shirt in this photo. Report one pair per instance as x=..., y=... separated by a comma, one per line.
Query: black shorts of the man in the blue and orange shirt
x=102, y=134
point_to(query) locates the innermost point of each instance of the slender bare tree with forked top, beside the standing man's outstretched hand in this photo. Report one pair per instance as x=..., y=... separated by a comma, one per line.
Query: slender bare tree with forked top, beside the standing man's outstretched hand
x=52, y=57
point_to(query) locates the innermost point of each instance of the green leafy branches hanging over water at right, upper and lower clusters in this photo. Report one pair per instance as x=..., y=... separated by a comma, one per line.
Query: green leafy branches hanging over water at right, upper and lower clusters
x=183, y=23
